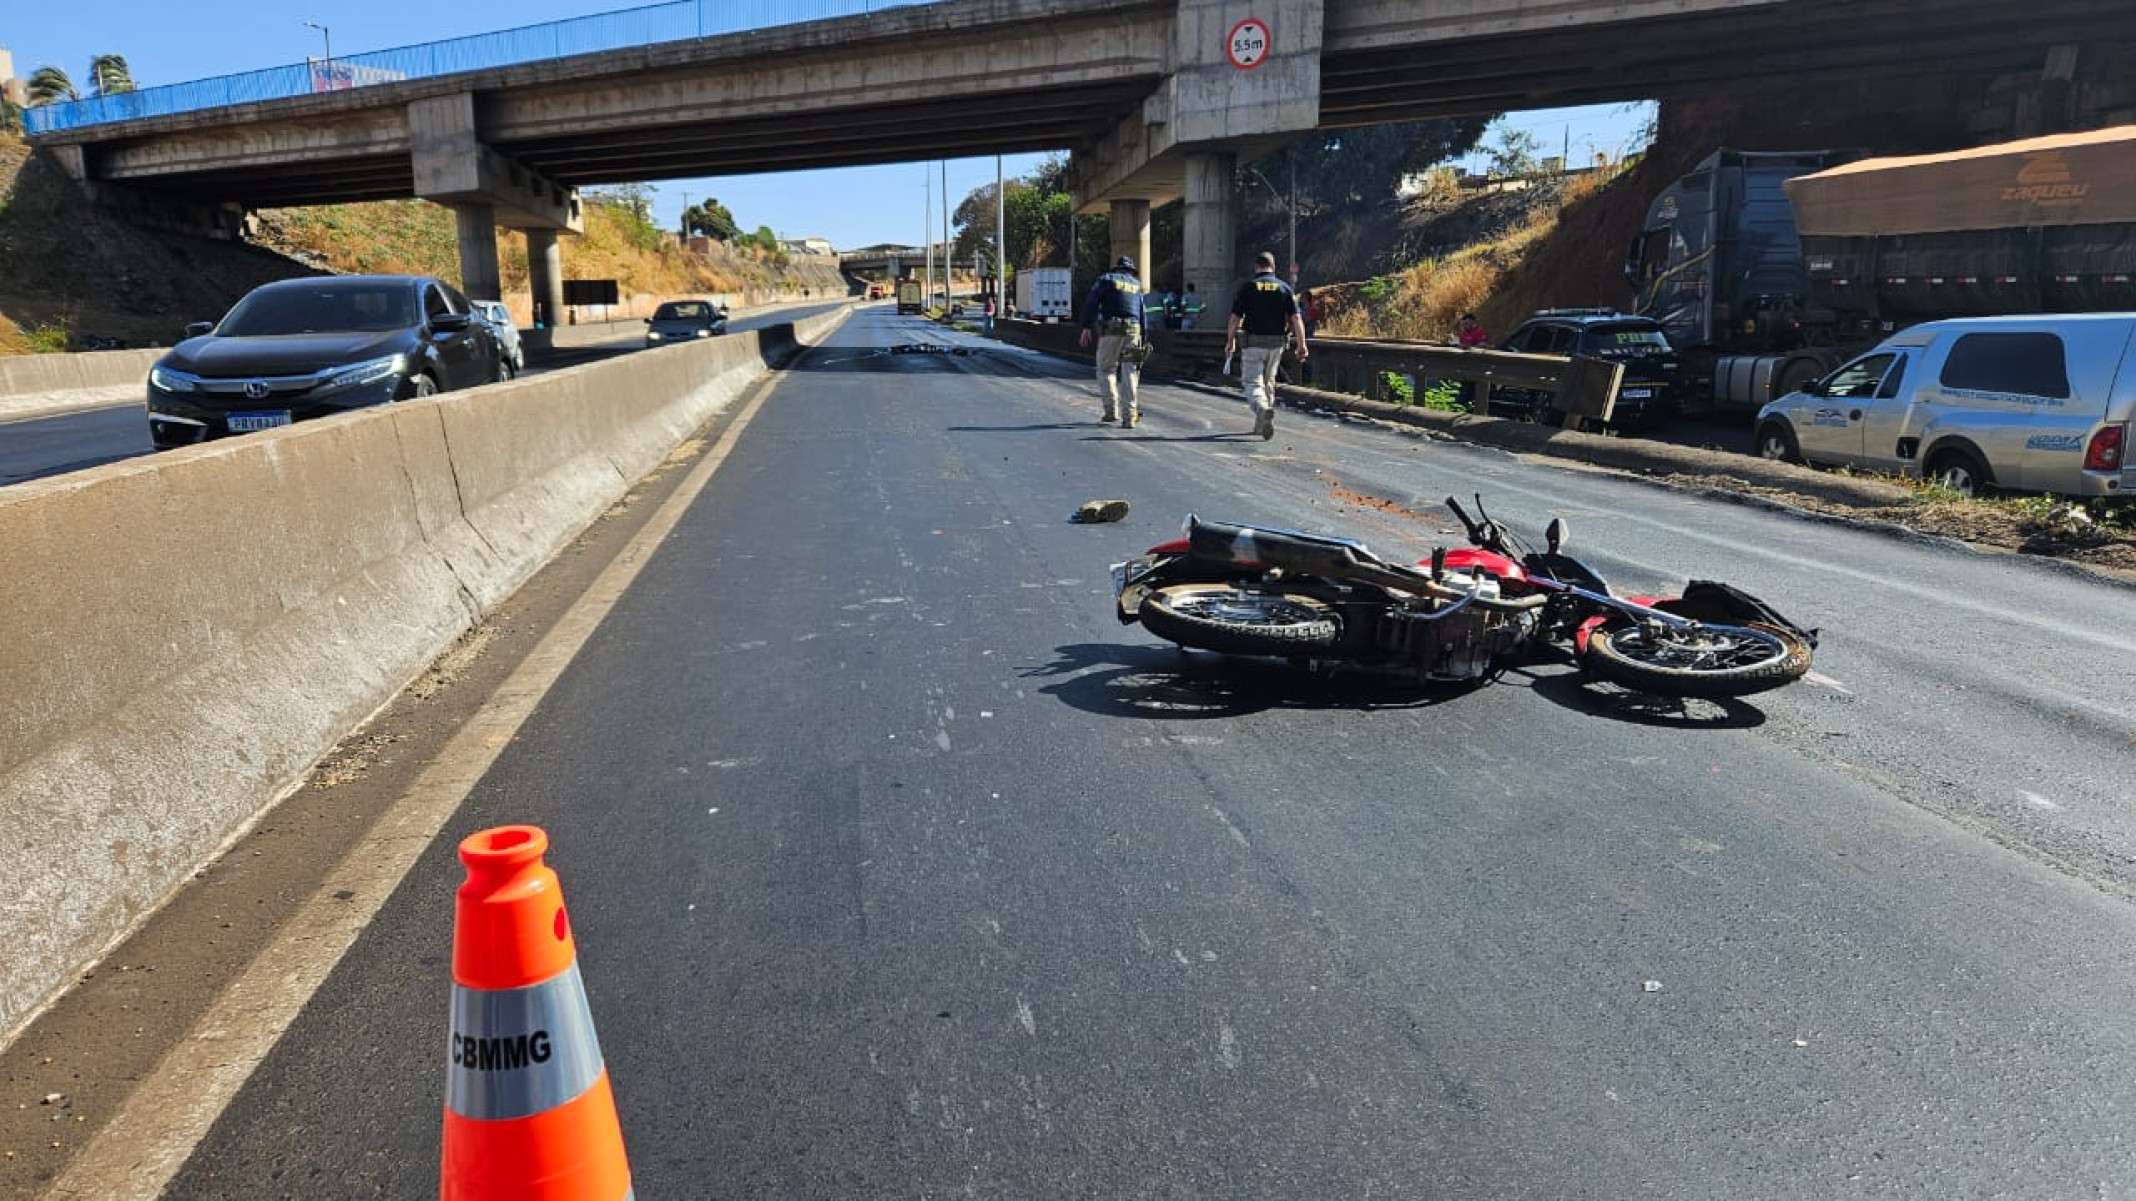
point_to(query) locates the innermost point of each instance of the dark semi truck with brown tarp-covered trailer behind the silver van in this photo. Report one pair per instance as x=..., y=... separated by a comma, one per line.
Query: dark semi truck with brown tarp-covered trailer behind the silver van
x=1770, y=270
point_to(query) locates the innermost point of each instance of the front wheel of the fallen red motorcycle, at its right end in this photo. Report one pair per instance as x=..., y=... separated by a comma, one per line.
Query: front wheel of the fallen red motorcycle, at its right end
x=1703, y=661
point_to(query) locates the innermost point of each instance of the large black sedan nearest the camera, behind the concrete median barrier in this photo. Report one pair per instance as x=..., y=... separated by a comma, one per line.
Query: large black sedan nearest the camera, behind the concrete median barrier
x=315, y=347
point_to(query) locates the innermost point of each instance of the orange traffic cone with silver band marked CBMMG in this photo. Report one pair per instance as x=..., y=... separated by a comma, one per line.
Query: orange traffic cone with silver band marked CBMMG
x=529, y=1112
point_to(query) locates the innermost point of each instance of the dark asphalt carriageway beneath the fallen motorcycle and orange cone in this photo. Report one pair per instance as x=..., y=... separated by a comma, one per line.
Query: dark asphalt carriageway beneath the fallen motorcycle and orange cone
x=900, y=869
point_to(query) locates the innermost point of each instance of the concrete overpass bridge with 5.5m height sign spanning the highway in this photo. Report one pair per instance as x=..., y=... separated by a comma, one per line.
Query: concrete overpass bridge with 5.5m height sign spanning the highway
x=1157, y=99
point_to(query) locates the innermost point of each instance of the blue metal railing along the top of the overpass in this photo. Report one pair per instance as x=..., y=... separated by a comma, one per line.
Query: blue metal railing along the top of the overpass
x=678, y=20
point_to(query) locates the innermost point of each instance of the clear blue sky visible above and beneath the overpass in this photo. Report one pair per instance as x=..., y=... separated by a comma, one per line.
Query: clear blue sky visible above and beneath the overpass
x=851, y=206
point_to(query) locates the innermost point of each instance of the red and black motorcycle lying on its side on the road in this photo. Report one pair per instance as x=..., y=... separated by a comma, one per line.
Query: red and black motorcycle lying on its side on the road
x=1460, y=617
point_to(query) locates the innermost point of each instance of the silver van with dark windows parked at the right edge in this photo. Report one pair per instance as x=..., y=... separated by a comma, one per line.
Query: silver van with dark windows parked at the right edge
x=2028, y=403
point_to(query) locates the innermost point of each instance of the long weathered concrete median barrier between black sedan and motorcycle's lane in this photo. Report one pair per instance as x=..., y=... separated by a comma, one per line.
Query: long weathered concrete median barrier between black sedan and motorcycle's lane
x=191, y=631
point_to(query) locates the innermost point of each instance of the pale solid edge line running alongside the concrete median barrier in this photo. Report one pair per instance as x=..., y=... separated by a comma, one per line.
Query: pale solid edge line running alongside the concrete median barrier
x=151, y=1138
